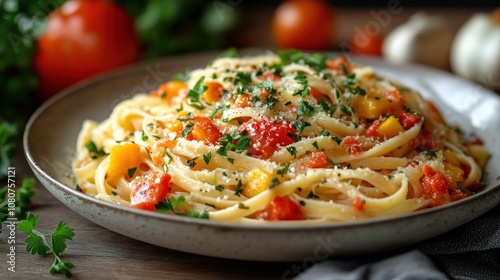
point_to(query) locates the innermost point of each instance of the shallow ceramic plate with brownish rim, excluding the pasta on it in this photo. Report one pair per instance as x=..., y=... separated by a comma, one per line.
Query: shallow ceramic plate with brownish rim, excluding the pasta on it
x=51, y=133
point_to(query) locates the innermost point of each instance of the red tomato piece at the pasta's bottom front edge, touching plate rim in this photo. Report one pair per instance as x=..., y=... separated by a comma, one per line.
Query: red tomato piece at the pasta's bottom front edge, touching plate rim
x=282, y=208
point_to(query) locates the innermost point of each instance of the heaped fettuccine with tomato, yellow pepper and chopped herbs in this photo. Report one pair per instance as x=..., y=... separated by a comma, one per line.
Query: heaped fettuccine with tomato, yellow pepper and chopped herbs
x=292, y=136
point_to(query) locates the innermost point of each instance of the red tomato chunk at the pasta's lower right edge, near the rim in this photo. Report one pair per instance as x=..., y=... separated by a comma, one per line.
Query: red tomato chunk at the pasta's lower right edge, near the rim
x=435, y=186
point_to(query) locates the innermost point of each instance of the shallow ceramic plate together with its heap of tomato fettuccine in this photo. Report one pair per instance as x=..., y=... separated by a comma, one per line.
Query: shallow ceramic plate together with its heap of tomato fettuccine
x=274, y=156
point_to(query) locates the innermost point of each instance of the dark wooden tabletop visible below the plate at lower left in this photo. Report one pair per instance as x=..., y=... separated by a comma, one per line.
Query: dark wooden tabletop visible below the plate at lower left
x=99, y=253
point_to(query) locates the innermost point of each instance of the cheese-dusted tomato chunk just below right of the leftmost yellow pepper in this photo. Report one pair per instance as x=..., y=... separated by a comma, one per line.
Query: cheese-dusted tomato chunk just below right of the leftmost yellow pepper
x=148, y=190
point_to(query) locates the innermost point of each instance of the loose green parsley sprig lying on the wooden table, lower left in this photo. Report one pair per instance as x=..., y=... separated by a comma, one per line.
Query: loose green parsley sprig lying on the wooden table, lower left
x=38, y=243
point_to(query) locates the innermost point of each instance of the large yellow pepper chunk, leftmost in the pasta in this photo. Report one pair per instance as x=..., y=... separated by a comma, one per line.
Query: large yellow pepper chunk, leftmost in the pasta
x=122, y=157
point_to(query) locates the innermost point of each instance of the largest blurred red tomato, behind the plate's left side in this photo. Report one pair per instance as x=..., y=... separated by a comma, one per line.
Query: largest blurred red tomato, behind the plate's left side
x=83, y=38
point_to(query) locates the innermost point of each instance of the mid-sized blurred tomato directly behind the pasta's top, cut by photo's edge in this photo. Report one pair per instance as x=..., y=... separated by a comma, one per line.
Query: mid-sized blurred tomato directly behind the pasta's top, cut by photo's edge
x=303, y=24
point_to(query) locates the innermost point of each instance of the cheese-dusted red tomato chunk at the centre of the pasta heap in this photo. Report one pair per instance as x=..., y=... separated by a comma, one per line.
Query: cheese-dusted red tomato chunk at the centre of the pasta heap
x=268, y=135
